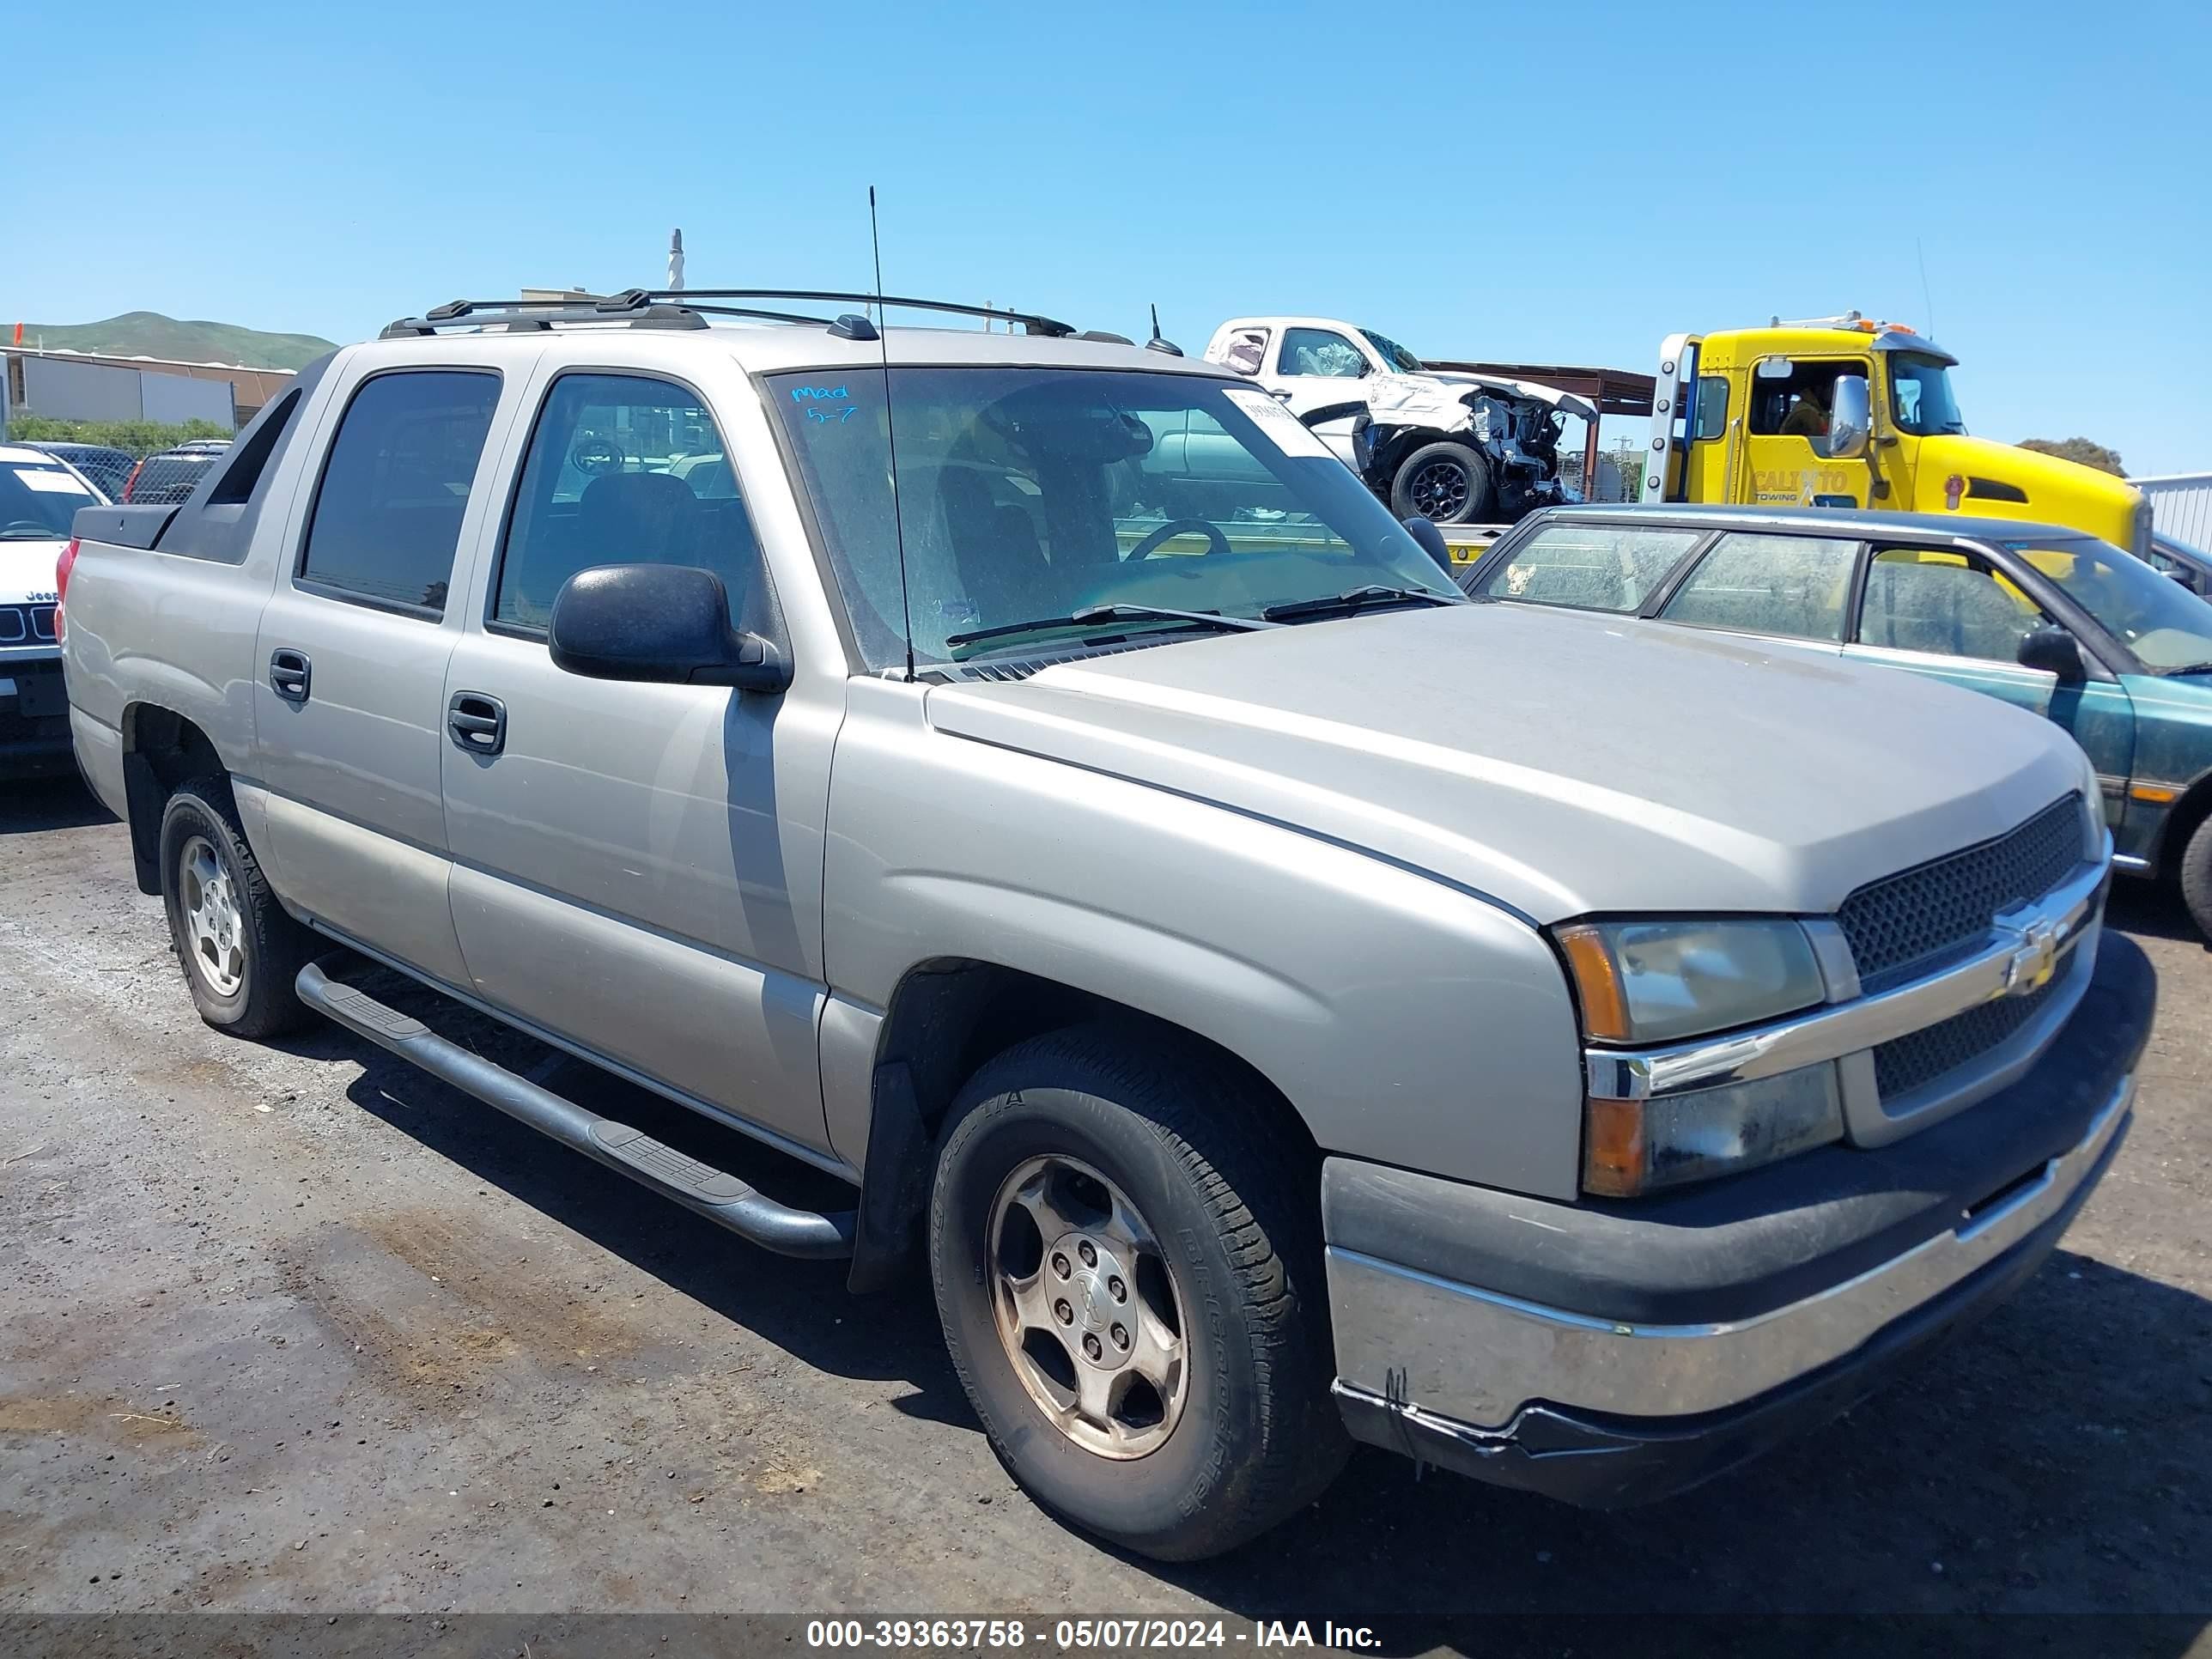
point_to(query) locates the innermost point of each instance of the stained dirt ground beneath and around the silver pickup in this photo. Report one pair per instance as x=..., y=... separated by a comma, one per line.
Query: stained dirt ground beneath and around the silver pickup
x=302, y=1331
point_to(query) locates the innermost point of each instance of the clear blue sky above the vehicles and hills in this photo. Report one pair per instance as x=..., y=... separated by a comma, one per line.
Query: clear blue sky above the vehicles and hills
x=1474, y=180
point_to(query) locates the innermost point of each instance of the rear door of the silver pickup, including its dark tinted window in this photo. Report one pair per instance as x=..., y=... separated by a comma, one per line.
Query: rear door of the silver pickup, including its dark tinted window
x=353, y=649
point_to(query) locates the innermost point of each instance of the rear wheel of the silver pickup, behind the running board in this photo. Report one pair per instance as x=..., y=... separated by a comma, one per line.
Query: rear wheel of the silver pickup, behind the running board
x=238, y=946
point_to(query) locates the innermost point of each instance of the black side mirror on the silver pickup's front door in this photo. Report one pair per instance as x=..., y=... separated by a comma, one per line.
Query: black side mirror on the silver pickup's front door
x=658, y=623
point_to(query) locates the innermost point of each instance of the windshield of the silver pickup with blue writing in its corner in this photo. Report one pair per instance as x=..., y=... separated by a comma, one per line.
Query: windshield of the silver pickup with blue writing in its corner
x=1034, y=494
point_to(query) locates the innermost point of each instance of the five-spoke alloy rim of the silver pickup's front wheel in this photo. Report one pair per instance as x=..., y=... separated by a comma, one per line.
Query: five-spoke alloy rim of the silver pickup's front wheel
x=1087, y=1308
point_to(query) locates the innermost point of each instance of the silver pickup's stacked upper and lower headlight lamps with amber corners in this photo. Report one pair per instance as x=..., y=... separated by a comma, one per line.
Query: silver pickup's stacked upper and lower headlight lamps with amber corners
x=1656, y=983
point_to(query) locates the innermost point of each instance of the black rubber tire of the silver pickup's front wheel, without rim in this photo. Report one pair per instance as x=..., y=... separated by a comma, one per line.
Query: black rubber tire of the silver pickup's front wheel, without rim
x=1235, y=1209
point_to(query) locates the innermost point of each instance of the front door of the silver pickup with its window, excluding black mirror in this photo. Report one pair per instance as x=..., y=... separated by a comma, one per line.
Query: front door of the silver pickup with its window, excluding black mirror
x=623, y=873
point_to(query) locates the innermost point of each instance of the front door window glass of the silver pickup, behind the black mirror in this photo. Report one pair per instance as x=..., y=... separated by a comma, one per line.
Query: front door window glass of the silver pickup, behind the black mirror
x=627, y=470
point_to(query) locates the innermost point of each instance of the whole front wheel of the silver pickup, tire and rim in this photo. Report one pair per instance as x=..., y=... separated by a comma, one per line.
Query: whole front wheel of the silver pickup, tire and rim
x=1129, y=1277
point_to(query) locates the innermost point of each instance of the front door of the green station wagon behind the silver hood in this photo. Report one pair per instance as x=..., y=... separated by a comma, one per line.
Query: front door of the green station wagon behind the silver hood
x=1954, y=616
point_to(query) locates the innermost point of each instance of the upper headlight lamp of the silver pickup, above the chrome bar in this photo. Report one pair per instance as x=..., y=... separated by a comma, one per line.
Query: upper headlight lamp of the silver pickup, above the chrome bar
x=1662, y=981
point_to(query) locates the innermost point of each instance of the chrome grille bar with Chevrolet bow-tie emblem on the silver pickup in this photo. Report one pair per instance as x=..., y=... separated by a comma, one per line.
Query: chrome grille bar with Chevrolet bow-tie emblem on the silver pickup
x=2023, y=954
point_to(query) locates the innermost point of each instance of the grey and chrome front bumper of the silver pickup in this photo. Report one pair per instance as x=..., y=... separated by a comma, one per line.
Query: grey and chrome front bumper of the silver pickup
x=1616, y=1353
